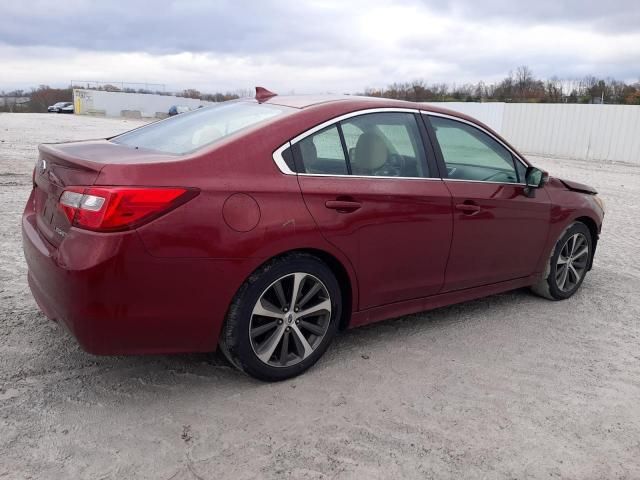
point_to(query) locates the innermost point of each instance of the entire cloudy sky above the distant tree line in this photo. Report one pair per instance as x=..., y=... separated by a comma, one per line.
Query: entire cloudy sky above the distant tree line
x=313, y=46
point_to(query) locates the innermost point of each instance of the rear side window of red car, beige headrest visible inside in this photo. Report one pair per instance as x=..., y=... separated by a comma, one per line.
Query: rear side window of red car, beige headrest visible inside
x=377, y=145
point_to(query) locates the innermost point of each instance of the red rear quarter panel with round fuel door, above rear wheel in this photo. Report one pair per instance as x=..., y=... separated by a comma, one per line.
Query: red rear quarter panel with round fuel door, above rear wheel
x=269, y=217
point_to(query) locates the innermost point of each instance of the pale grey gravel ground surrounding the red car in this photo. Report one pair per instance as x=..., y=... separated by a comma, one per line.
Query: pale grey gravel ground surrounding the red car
x=511, y=386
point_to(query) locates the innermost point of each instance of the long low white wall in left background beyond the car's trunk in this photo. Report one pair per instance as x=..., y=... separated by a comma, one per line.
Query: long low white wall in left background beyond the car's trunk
x=120, y=104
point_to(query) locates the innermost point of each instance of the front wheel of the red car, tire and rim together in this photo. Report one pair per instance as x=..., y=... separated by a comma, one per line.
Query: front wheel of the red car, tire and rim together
x=568, y=264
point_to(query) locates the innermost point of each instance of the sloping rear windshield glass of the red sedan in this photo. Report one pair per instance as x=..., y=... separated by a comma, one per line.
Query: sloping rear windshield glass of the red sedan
x=187, y=132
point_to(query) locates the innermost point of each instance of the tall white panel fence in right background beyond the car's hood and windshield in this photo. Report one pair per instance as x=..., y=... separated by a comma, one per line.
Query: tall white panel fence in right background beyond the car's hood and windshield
x=590, y=132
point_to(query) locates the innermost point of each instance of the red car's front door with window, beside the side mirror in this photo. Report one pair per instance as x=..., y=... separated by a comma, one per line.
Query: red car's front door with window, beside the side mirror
x=499, y=232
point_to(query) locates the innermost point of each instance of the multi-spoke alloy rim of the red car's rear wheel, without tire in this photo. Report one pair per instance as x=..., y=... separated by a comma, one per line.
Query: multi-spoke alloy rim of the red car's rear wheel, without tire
x=290, y=319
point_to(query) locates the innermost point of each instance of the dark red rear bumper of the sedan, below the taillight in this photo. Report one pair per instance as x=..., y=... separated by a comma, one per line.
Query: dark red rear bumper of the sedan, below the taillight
x=116, y=298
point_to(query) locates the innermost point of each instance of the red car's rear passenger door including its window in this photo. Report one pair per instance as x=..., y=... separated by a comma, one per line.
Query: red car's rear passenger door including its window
x=374, y=194
